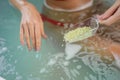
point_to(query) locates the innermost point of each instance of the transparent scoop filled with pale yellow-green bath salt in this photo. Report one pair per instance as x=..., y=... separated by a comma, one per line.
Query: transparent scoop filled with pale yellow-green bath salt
x=83, y=30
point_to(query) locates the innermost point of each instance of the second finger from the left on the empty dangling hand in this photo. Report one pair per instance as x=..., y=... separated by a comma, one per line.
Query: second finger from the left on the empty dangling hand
x=27, y=37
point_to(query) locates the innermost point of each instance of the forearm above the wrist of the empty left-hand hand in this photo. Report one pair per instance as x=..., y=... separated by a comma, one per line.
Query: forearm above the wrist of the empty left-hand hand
x=19, y=4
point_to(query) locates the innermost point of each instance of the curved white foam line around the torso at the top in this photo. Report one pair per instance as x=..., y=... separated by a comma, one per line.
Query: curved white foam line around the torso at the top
x=87, y=5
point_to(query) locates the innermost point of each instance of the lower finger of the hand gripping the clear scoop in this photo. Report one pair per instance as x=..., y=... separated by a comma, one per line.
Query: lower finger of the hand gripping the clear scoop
x=114, y=18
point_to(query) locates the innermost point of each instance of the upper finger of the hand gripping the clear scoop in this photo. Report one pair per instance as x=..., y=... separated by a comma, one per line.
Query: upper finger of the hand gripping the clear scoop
x=109, y=12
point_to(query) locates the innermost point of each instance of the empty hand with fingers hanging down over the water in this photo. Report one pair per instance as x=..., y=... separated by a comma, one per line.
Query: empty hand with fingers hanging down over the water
x=31, y=28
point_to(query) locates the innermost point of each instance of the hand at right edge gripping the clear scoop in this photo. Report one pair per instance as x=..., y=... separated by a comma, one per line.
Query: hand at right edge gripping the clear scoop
x=112, y=15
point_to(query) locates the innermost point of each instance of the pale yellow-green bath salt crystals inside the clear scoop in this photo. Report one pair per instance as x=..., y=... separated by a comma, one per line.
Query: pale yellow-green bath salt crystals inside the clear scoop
x=78, y=34
